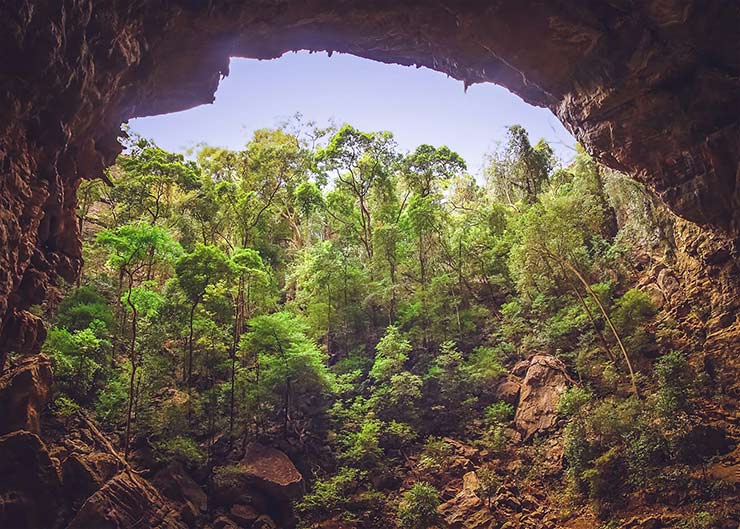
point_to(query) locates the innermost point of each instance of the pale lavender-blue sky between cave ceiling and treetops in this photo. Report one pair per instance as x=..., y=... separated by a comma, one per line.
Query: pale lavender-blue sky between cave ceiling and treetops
x=416, y=104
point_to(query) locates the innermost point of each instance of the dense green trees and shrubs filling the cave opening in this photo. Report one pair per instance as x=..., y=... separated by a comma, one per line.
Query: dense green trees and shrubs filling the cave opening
x=321, y=287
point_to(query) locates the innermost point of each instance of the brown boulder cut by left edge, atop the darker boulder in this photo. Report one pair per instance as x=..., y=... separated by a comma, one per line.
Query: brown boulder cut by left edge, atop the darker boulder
x=24, y=391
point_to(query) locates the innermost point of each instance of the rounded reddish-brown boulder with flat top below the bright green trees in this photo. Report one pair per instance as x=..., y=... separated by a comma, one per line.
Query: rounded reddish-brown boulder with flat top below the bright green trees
x=272, y=472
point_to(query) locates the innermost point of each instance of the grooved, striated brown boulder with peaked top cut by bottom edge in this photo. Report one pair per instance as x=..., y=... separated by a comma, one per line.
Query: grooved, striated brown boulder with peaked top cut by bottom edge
x=124, y=502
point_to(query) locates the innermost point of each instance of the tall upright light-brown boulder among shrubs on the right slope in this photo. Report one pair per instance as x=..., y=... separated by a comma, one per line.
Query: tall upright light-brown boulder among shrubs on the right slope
x=544, y=382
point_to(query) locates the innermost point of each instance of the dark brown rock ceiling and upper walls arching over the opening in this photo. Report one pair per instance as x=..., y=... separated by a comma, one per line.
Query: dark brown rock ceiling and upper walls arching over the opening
x=650, y=88
